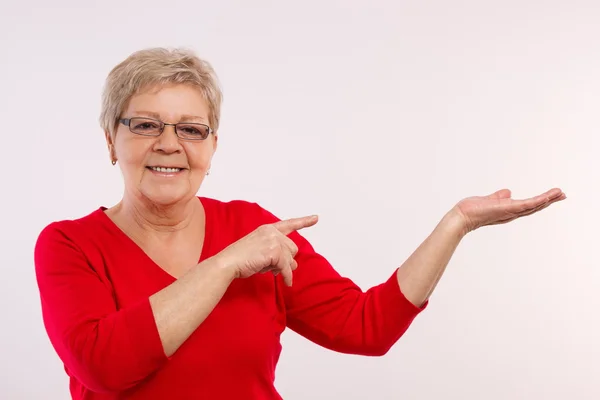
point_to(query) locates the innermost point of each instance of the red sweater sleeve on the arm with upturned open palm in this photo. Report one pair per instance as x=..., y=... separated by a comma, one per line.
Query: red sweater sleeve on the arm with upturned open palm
x=332, y=311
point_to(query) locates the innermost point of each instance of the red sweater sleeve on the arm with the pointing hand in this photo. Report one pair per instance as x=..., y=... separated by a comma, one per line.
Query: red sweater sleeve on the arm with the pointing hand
x=105, y=348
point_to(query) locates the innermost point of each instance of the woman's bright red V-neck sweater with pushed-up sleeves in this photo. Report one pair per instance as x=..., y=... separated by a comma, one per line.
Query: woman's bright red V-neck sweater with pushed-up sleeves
x=95, y=283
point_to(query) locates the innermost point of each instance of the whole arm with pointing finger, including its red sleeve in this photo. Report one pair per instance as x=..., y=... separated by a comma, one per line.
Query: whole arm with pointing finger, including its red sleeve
x=110, y=349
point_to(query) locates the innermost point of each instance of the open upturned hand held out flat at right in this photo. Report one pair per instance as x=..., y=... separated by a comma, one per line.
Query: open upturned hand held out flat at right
x=500, y=208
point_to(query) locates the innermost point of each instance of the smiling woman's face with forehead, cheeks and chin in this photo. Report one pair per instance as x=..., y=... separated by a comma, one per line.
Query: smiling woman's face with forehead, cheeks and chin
x=164, y=169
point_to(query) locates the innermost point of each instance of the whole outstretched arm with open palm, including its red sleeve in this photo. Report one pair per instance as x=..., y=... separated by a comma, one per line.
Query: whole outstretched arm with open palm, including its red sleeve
x=335, y=313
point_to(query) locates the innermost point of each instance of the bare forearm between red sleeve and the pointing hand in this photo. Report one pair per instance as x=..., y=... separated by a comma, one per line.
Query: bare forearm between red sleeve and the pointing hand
x=182, y=306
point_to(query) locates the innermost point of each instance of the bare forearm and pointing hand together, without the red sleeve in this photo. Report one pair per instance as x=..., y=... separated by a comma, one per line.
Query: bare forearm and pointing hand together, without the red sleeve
x=181, y=307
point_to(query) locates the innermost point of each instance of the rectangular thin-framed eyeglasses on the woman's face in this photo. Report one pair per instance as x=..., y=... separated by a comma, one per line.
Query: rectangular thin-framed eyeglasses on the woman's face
x=153, y=127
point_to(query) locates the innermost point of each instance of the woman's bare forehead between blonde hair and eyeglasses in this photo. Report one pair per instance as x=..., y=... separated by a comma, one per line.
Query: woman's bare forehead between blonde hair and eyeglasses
x=169, y=103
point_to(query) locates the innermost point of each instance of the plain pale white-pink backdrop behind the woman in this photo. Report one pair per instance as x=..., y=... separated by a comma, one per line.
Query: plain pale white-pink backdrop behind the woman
x=378, y=116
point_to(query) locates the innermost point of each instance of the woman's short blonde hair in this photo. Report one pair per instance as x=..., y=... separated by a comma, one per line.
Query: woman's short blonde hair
x=158, y=66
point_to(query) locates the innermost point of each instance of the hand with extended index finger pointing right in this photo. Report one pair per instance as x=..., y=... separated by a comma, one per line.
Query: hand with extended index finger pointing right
x=266, y=249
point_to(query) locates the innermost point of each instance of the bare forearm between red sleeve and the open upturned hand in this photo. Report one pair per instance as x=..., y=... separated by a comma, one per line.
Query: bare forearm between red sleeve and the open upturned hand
x=421, y=272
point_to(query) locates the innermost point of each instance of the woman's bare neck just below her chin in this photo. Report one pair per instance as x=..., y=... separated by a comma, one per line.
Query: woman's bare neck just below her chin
x=150, y=217
